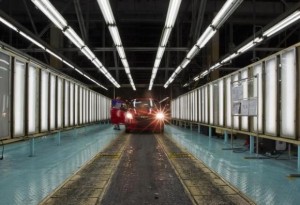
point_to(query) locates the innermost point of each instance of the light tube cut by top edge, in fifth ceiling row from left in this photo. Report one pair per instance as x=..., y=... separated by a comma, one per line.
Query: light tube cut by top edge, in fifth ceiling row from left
x=228, y=8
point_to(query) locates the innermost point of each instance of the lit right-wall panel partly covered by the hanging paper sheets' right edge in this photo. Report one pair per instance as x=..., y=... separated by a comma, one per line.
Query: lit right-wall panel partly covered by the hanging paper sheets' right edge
x=258, y=87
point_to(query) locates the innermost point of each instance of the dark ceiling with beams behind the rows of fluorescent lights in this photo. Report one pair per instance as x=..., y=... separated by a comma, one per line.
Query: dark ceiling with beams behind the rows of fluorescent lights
x=140, y=24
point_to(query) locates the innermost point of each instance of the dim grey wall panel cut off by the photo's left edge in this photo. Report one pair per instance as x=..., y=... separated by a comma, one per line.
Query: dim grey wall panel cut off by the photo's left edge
x=4, y=95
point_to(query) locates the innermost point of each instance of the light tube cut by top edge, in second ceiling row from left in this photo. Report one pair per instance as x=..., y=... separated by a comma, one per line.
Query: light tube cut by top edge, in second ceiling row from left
x=47, y=8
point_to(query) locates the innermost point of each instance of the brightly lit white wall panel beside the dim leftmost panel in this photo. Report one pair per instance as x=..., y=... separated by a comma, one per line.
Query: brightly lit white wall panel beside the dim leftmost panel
x=19, y=98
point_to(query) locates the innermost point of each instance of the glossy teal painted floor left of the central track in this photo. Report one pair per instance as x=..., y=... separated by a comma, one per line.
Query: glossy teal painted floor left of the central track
x=27, y=180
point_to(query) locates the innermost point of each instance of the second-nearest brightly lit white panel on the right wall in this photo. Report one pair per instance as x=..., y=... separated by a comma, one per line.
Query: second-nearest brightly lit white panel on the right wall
x=271, y=96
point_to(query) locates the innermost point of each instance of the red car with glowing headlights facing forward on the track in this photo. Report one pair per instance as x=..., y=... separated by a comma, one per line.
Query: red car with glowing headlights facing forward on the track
x=144, y=114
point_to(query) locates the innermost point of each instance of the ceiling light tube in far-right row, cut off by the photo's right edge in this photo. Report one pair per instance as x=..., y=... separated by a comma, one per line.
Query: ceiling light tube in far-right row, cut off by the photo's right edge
x=282, y=24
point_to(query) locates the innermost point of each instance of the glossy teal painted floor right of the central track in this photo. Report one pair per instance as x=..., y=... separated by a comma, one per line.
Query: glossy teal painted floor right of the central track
x=265, y=181
